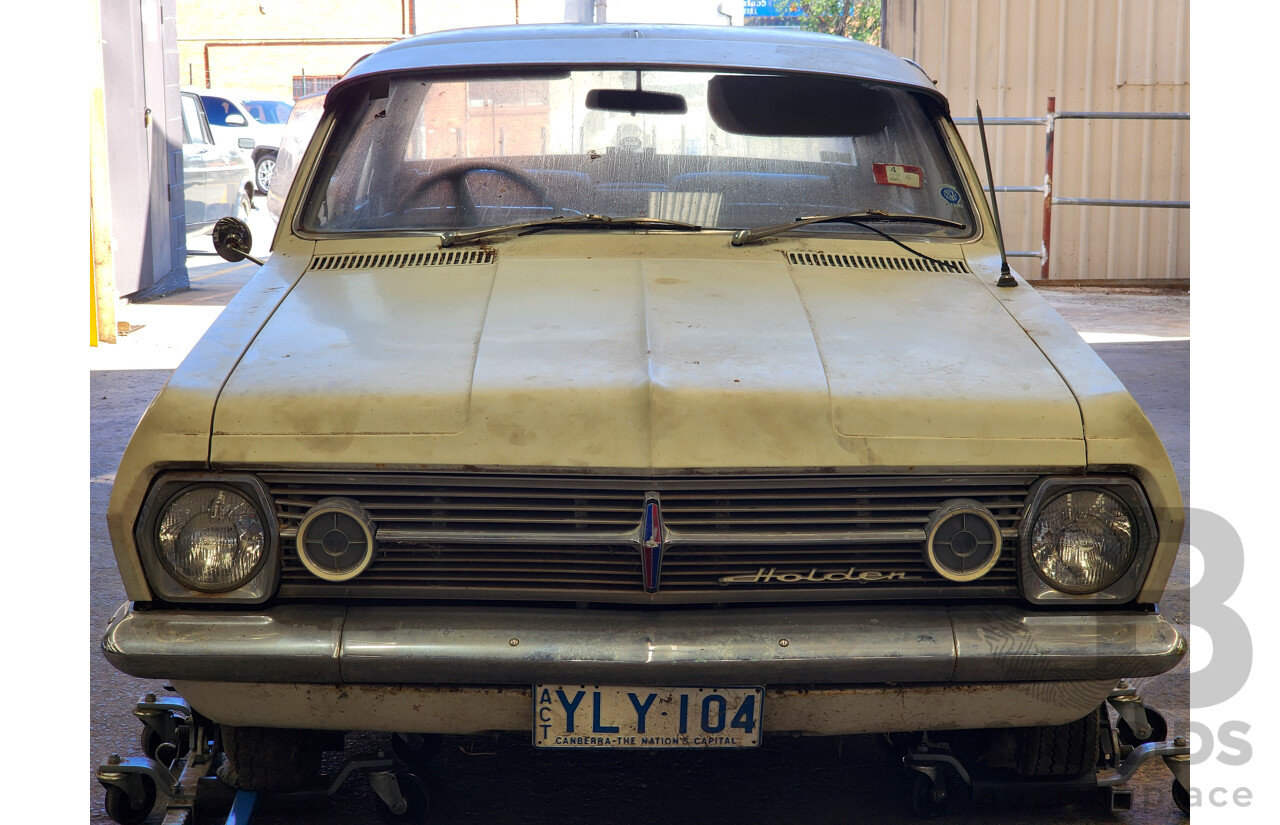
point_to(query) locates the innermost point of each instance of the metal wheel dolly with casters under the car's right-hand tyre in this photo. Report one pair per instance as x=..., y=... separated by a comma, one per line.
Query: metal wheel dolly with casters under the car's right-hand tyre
x=935, y=773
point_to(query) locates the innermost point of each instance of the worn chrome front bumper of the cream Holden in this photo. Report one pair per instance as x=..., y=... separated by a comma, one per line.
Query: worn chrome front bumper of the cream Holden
x=446, y=645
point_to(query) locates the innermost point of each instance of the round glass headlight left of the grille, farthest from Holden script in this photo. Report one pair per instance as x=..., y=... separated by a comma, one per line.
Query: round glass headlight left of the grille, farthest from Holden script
x=212, y=539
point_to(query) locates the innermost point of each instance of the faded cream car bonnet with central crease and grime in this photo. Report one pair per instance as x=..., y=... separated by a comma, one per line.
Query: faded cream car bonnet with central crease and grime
x=651, y=361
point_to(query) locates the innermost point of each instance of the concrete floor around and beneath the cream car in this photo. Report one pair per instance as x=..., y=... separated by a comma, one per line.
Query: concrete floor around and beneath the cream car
x=1144, y=337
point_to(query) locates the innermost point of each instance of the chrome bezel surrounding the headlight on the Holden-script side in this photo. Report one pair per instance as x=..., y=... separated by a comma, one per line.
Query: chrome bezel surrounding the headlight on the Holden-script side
x=1146, y=537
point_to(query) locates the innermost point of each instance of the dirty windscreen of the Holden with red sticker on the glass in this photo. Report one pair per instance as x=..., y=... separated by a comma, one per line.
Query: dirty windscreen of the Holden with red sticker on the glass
x=726, y=152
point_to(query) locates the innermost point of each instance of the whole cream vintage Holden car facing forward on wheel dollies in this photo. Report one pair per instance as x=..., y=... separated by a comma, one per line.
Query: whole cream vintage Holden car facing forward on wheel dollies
x=641, y=388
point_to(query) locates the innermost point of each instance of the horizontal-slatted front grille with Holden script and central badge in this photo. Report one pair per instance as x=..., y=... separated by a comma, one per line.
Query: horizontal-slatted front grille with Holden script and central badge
x=725, y=539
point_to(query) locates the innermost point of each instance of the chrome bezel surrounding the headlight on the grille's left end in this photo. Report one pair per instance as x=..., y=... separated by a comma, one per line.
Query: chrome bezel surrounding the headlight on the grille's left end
x=259, y=586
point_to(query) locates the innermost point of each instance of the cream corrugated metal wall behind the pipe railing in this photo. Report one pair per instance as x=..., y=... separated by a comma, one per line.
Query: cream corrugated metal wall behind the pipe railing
x=1092, y=56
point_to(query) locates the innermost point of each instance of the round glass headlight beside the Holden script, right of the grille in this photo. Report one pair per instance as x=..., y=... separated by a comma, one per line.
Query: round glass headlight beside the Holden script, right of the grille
x=1084, y=542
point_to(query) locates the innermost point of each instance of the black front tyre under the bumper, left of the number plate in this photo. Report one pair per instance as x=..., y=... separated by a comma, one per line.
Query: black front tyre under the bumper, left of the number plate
x=269, y=759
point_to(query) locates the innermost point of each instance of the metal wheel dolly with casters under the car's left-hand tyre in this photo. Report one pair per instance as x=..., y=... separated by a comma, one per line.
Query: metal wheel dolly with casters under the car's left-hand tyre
x=181, y=751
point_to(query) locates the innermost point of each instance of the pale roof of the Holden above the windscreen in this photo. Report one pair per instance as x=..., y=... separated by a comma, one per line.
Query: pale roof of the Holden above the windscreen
x=717, y=48
